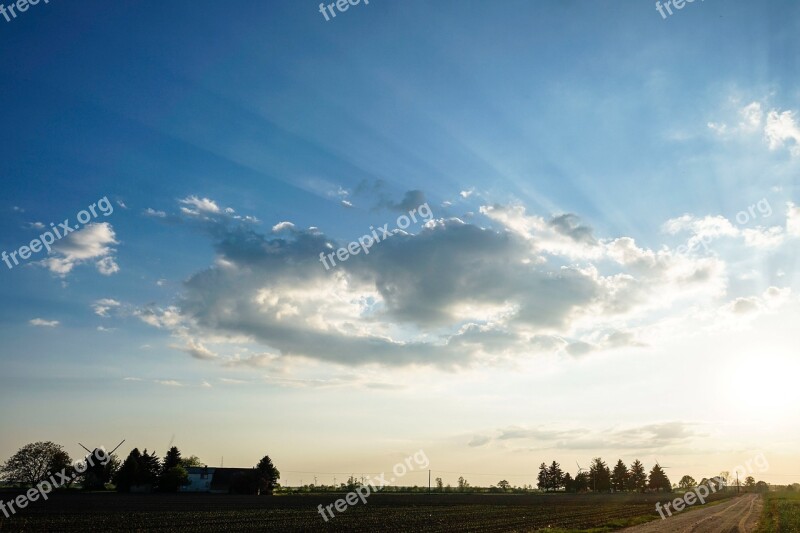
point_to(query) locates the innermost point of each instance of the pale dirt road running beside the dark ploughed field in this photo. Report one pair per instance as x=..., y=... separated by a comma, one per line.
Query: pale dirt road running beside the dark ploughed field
x=739, y=515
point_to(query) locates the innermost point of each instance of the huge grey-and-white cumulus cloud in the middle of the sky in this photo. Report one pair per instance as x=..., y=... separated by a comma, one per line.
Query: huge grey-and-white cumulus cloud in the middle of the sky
x=450, y=295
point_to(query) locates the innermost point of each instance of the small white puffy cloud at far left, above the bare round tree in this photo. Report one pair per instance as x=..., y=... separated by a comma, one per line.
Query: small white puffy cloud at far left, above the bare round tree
x=91, y=243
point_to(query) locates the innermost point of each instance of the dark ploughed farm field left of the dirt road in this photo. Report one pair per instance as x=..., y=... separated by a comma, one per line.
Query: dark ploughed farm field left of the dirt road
x=384, y=512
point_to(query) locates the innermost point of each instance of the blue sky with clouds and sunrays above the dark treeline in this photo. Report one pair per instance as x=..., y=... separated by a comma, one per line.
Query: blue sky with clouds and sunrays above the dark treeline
x=585, y=222
